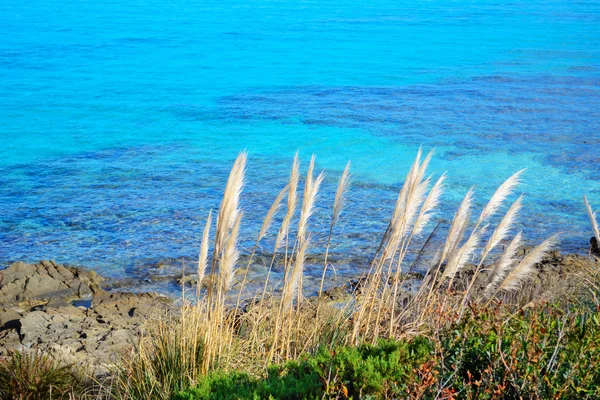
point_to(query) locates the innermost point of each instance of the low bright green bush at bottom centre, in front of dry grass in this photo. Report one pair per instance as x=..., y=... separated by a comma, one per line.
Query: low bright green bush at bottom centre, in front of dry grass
x=380, y=371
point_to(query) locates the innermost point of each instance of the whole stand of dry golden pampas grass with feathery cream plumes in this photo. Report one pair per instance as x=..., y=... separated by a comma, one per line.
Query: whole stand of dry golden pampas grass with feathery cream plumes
x=480, y=264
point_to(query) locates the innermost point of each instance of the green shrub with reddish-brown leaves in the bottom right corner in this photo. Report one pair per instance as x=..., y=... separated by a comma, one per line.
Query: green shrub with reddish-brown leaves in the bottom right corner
x=545, y=353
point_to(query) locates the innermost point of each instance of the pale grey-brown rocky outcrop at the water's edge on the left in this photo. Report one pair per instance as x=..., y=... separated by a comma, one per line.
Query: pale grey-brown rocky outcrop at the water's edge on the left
x=63, y=311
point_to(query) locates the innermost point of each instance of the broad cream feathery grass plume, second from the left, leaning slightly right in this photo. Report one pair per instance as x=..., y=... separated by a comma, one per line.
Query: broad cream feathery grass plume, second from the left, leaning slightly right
x=229, y=208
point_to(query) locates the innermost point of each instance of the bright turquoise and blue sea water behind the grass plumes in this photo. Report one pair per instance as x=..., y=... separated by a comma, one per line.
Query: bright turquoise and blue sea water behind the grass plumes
x=119, y=121
